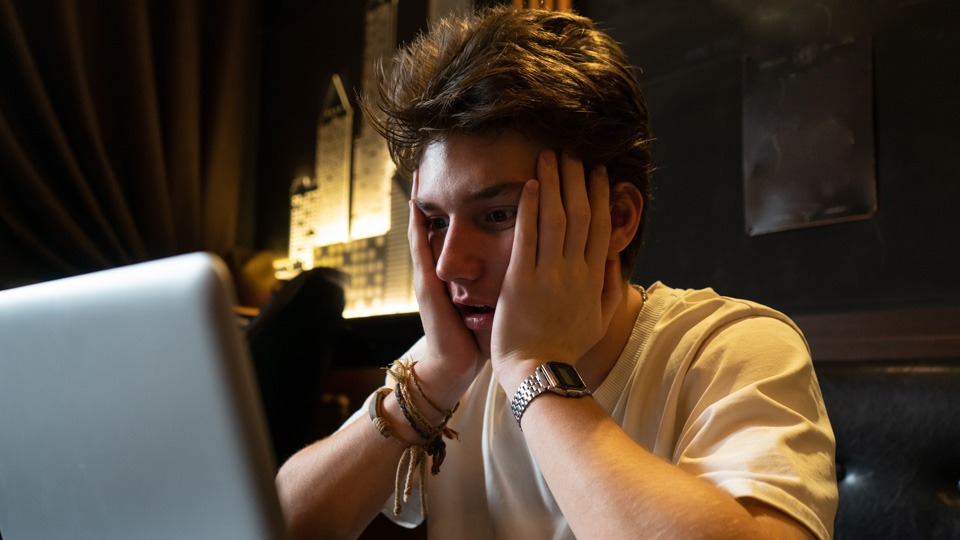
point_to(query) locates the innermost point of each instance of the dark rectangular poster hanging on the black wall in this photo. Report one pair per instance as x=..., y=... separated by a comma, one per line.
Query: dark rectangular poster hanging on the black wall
x=808, y=148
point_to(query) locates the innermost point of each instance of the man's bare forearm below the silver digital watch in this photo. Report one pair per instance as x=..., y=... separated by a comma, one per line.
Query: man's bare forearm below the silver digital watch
x=609, y=487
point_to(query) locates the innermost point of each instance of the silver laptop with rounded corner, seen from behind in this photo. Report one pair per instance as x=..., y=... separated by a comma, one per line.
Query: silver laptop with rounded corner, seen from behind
x=128, y=409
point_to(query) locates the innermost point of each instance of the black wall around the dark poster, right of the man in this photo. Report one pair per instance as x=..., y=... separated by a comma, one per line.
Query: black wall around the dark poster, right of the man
x=690, y=54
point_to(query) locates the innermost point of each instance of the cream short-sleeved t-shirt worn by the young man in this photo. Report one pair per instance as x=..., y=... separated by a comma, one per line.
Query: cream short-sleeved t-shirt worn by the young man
x=722, y=388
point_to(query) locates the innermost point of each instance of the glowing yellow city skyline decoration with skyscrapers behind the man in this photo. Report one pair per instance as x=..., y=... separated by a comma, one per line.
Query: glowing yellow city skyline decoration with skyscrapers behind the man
x=352, y=216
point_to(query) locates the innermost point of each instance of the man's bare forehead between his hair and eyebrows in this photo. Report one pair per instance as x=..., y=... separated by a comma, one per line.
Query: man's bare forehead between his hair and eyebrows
x=462, y=166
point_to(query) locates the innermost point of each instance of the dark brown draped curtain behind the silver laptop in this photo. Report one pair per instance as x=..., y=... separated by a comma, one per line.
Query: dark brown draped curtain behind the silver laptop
x=122, y=129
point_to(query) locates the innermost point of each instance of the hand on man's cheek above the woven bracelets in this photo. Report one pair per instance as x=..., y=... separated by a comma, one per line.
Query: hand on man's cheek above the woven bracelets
x=452, y=350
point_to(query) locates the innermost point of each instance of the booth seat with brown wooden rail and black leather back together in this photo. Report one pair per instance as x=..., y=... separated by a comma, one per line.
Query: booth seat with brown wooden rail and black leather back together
x=891, y=383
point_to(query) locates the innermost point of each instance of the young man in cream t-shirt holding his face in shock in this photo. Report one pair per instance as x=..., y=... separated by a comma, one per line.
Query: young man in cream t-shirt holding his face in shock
x=526, y=136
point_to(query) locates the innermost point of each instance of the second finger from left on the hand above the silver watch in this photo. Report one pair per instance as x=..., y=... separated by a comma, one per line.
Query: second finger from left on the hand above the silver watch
x=551, y=219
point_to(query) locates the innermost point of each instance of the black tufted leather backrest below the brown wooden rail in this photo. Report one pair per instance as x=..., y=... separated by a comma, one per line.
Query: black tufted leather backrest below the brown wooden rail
x=898, y=447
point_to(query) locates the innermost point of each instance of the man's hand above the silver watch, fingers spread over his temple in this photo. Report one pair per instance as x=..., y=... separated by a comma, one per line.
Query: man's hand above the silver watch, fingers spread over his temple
x=550, y=302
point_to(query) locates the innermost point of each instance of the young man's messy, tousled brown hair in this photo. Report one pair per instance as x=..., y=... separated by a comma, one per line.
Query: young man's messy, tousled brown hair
x=551, y=76
